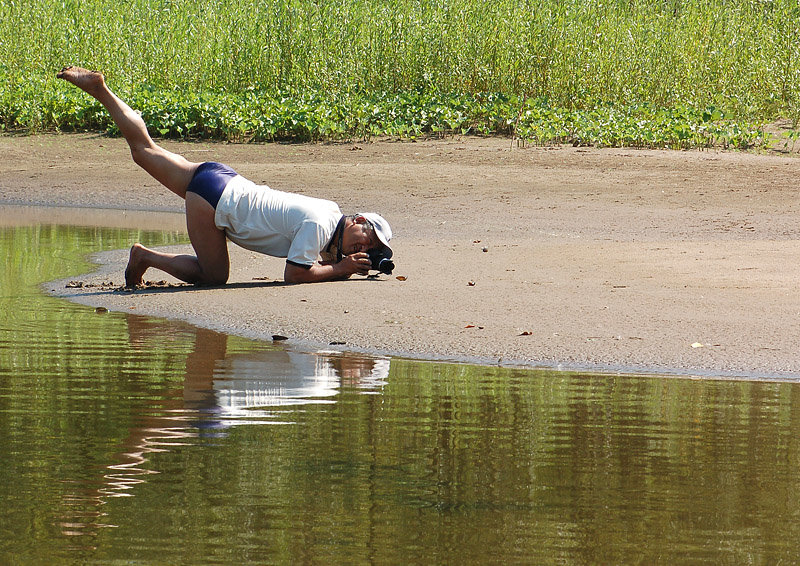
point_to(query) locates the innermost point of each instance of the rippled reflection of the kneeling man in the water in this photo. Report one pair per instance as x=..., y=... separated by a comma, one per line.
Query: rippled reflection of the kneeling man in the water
x=223, y=389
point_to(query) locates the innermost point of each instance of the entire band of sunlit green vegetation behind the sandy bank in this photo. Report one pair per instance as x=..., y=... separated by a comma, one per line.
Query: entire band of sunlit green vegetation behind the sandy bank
x=673, y=73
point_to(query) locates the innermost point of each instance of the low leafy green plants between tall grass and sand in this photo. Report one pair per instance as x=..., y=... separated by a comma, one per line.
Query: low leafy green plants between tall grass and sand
x=258, y=116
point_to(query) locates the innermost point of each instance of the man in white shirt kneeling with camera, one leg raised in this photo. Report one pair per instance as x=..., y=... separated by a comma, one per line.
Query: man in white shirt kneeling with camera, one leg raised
x=318, y=242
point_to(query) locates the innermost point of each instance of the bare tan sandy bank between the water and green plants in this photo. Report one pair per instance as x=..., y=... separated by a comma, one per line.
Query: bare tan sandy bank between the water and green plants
x=579, y=258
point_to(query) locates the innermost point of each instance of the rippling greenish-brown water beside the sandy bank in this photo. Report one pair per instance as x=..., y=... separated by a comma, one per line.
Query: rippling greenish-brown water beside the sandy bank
x=132, y=439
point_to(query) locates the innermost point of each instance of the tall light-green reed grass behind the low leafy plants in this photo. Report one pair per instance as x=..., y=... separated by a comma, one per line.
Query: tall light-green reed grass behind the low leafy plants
x=741, y=56
